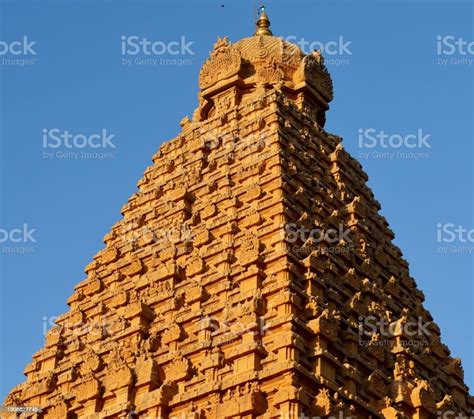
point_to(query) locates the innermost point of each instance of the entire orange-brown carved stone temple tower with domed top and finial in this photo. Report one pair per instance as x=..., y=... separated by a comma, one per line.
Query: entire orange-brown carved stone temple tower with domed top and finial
x=251, y=275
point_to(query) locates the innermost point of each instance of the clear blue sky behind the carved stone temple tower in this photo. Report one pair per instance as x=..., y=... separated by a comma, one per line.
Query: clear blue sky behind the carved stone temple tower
x=391, y=81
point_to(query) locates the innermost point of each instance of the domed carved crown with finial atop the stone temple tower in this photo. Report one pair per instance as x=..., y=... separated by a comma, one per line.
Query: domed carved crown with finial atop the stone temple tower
x=262, y=61
